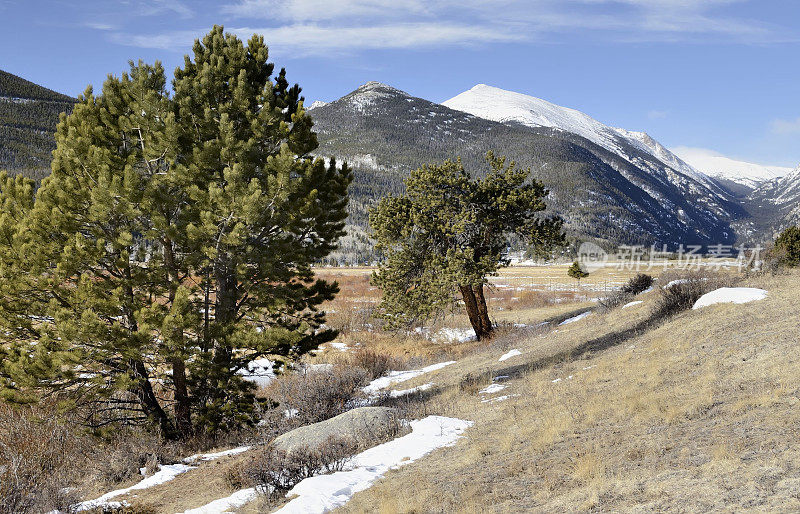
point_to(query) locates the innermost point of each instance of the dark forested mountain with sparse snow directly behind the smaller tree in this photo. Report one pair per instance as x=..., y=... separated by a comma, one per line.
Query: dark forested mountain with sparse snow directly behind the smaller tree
x=384, y=133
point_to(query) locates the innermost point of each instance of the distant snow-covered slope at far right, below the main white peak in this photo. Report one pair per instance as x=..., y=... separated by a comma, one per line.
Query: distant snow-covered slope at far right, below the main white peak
x=717, y=165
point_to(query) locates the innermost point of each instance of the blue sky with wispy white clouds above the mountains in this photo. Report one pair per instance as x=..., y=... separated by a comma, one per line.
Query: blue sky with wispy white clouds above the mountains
x=717, y=74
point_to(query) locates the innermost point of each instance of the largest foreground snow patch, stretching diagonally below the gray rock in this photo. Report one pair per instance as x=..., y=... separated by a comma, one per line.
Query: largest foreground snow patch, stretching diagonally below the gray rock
x=323, y=493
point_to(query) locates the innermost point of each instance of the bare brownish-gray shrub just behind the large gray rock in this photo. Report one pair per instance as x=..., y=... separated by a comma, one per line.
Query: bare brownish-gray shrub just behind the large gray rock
x=317, y=395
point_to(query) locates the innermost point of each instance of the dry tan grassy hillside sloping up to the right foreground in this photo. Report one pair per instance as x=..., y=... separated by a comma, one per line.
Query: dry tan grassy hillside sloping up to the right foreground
x=698, y=414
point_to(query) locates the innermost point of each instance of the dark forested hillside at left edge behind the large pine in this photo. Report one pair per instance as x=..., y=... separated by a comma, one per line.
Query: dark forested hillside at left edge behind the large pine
x=28, y=117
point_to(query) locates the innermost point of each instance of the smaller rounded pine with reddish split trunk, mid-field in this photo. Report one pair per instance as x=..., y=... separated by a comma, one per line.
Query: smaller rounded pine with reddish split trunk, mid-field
x=449, y=232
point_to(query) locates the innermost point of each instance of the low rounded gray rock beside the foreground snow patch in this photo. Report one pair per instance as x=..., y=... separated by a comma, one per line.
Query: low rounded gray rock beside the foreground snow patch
x=366, y=426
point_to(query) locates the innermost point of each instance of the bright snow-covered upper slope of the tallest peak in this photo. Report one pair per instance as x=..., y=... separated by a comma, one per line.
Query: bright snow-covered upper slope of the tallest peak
x=507, y=106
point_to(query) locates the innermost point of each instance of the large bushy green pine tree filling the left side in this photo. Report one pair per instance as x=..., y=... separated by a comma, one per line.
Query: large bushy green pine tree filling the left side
x=171, y=245
